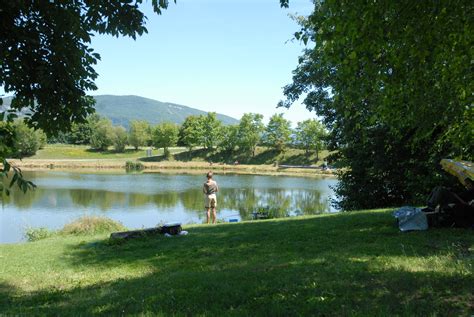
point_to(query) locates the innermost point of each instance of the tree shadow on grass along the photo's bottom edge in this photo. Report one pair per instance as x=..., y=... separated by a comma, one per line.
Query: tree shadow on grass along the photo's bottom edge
x=285, y=290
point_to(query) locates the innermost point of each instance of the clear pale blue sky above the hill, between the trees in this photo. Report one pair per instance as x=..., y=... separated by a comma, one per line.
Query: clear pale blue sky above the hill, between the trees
x=228, y=56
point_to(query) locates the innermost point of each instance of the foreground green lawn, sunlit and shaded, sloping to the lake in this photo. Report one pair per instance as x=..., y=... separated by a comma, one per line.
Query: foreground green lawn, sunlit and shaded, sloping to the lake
x=335, y=265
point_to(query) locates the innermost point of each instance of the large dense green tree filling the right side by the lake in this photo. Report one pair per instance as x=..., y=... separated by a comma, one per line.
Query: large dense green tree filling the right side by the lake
x=394, y=91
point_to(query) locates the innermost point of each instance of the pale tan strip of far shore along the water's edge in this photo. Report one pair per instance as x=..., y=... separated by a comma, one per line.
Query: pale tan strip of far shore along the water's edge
x=165, y=167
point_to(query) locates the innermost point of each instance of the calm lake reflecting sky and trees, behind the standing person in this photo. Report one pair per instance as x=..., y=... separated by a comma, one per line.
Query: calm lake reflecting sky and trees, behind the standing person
x=149, y=199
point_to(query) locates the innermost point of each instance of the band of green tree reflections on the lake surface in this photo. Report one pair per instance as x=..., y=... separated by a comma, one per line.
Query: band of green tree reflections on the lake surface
x=245, y=201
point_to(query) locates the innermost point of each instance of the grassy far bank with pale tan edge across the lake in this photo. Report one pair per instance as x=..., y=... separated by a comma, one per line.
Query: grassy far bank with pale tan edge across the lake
x=292, y=162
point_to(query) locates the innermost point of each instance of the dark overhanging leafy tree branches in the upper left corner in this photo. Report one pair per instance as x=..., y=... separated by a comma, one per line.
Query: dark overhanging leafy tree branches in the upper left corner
x=47, y=62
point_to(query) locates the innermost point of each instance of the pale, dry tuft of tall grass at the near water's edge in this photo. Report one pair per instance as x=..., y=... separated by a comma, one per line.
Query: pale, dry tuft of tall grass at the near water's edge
x=92, y=225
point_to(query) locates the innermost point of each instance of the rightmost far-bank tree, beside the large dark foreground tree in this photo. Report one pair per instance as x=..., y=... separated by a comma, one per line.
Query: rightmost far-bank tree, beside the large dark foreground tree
x=310, y=135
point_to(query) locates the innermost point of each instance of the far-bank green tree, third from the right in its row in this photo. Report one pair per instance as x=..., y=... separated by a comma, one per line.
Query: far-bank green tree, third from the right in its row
x=250, y=132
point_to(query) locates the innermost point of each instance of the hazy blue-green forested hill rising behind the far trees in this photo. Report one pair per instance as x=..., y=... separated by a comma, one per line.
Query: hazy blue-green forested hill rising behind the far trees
x=122, y=109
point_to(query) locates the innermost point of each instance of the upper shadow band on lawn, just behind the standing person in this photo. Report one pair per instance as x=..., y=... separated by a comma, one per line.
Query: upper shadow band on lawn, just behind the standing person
x=348, y=235
